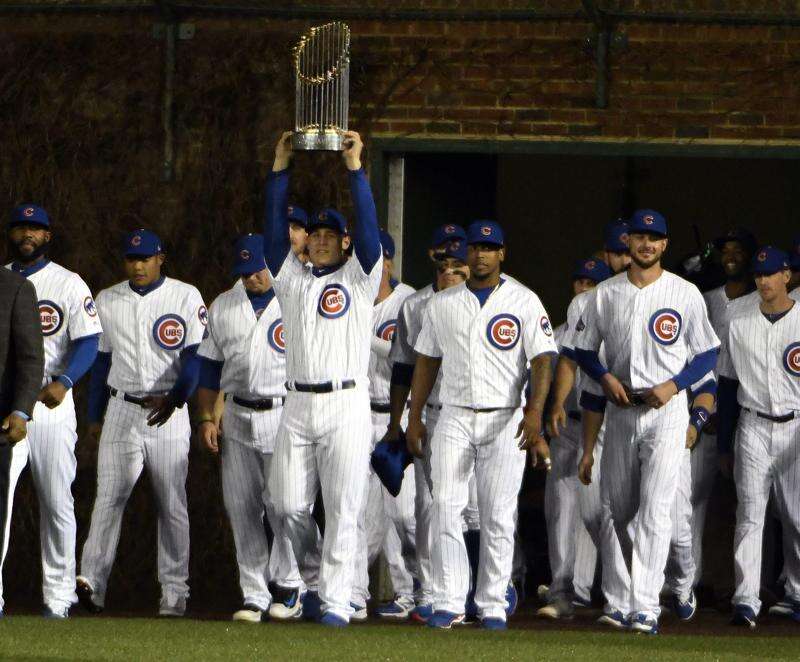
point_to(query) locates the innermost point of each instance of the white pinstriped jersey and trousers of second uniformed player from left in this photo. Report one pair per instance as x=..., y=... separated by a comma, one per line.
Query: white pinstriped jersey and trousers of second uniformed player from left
x=145, y=335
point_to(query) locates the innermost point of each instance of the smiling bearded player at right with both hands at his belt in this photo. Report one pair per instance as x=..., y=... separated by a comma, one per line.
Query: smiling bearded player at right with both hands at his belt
x=658, y=341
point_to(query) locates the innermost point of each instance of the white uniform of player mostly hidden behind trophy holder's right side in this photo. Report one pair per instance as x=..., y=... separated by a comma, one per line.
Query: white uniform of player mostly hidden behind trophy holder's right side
x=380, y=508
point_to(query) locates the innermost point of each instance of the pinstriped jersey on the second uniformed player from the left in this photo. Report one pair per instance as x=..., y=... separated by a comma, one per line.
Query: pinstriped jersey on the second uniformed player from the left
x=146, y=333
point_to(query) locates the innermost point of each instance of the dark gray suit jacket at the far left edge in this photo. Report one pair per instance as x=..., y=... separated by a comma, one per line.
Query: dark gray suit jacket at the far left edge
x=21, y=351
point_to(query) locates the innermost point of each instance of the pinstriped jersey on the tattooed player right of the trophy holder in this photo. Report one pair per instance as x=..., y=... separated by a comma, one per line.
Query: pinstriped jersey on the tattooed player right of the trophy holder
x=485, y=349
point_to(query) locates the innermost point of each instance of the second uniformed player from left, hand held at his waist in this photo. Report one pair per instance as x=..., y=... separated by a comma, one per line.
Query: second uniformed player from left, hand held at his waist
x=152, y=327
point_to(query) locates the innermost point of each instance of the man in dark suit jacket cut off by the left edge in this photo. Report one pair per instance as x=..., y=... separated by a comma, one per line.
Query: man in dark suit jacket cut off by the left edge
x=21, y=374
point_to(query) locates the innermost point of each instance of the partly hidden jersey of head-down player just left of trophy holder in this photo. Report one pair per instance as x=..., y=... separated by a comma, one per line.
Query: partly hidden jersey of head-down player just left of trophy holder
x=252, y=348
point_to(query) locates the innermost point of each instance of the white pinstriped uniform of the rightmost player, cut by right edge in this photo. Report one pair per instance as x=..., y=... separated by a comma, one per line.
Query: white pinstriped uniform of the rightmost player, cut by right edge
x=765, y=358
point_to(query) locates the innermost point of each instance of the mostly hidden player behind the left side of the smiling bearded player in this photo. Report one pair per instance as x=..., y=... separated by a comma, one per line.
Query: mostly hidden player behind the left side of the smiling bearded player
x=565, y=529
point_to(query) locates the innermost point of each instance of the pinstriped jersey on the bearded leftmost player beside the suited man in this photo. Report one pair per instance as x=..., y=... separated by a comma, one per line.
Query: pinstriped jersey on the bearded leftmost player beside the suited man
x=67, y=311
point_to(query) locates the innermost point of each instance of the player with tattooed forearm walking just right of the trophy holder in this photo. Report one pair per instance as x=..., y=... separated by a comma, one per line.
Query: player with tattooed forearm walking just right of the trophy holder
x=474, y=331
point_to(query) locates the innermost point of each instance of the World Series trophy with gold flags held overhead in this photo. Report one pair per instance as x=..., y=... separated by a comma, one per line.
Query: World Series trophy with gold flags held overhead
x=322, y=87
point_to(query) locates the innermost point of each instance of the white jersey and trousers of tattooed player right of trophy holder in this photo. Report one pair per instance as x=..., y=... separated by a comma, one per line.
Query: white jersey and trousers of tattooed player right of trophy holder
x=485, y=352
